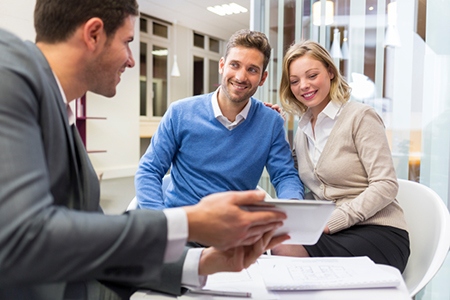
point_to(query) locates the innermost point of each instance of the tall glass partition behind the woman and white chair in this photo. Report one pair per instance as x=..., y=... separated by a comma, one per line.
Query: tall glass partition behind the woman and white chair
x=396, y=56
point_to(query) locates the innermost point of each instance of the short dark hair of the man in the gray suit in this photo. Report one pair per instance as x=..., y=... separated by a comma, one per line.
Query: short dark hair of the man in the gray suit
x=56, y=20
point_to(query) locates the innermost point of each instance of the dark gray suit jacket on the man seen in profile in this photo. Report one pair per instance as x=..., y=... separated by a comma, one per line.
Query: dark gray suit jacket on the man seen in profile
x=53, y=235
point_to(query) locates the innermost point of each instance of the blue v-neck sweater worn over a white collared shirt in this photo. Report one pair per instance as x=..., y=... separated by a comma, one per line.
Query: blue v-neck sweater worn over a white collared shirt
x=205, y=157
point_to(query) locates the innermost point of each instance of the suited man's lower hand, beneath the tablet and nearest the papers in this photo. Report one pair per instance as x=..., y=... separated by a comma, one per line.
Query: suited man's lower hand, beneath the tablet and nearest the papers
x=238, y=258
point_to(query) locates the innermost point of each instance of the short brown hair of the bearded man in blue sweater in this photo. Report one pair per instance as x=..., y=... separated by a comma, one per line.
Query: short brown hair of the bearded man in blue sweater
x=250, y=39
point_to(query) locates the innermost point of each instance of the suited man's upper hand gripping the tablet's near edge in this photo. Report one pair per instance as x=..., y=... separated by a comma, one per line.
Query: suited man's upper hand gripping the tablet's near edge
x=217, y=220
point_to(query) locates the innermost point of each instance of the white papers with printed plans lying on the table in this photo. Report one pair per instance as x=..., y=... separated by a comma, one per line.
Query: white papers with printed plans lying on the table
x=279, y=273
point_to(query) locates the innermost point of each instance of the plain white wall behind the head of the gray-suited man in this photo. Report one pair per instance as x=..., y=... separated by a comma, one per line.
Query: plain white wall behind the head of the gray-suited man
x=119, y=133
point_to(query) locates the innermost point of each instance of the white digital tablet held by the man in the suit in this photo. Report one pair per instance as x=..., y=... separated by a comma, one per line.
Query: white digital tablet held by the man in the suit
x=305, y=221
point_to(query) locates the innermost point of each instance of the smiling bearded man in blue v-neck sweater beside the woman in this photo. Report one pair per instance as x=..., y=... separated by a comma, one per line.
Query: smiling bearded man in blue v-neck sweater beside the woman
x=220, y=141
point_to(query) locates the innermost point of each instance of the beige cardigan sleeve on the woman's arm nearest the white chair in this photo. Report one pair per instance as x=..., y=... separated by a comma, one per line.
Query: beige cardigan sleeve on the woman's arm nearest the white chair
x=375, y=156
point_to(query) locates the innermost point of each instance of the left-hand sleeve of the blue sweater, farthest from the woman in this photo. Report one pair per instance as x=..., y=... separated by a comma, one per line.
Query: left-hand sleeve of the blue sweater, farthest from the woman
x=155, y=163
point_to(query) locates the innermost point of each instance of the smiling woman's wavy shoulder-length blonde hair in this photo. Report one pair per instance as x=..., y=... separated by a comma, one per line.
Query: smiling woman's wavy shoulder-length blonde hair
x=339, y=88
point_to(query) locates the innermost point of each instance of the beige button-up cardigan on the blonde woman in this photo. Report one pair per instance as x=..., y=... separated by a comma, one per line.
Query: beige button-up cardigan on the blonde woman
x=355, y=170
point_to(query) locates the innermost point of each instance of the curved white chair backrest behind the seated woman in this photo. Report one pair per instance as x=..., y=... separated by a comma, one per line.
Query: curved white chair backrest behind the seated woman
x=429, y=232
